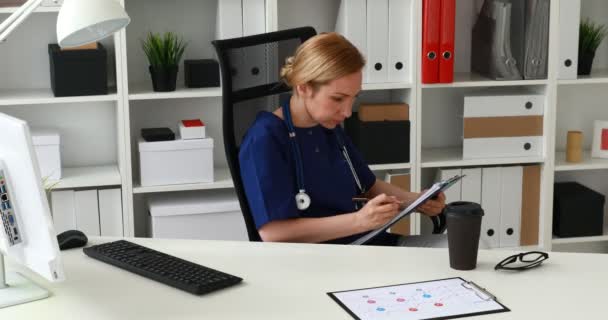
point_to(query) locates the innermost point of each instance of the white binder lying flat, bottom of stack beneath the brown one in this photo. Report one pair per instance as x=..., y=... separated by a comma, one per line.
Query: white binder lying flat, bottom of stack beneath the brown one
x=475, y=148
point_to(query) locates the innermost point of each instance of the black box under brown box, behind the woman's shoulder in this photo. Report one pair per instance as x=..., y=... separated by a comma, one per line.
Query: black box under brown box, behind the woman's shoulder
x=380, y=142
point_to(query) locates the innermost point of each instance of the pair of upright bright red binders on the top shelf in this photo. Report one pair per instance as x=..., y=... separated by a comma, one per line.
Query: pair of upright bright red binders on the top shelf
x=438, y=23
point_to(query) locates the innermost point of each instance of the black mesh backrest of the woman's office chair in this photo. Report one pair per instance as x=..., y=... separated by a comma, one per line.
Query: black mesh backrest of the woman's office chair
x=250, y=83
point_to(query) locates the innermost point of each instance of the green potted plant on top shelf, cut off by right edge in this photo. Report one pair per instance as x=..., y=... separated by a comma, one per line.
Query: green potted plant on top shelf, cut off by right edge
x=590, y=37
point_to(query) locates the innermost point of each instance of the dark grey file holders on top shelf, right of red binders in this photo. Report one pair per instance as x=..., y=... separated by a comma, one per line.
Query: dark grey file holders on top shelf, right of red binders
x=510, y=39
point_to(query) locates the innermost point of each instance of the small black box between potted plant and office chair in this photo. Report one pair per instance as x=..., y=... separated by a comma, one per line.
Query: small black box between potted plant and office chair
x=201, y=73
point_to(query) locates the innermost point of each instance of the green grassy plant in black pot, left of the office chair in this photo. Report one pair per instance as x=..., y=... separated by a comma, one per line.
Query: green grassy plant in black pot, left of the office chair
x=164, y=53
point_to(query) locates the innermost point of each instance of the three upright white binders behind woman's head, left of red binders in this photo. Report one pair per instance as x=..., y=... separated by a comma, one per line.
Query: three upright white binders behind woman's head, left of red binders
x=381, y=30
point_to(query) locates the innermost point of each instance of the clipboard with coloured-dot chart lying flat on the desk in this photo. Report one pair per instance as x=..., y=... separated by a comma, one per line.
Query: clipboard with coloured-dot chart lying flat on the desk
x=436, y=299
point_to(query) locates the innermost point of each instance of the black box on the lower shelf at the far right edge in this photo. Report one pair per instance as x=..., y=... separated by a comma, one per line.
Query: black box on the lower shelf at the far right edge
x=577, y=211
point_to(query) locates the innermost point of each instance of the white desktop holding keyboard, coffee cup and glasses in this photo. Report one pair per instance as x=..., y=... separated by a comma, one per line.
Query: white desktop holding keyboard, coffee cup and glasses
x=290, y=281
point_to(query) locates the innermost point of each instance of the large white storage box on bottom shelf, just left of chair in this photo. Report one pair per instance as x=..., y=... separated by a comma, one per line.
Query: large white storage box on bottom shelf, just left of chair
x=209, y=215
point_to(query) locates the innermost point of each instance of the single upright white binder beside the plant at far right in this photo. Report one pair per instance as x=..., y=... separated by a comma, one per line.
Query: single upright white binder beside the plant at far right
x=569, y=22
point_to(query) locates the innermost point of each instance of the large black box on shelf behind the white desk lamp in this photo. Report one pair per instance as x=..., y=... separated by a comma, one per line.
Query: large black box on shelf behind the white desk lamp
x=78, y=72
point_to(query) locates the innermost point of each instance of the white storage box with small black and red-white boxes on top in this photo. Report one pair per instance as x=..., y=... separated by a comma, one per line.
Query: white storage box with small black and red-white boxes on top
x=176, y=161
